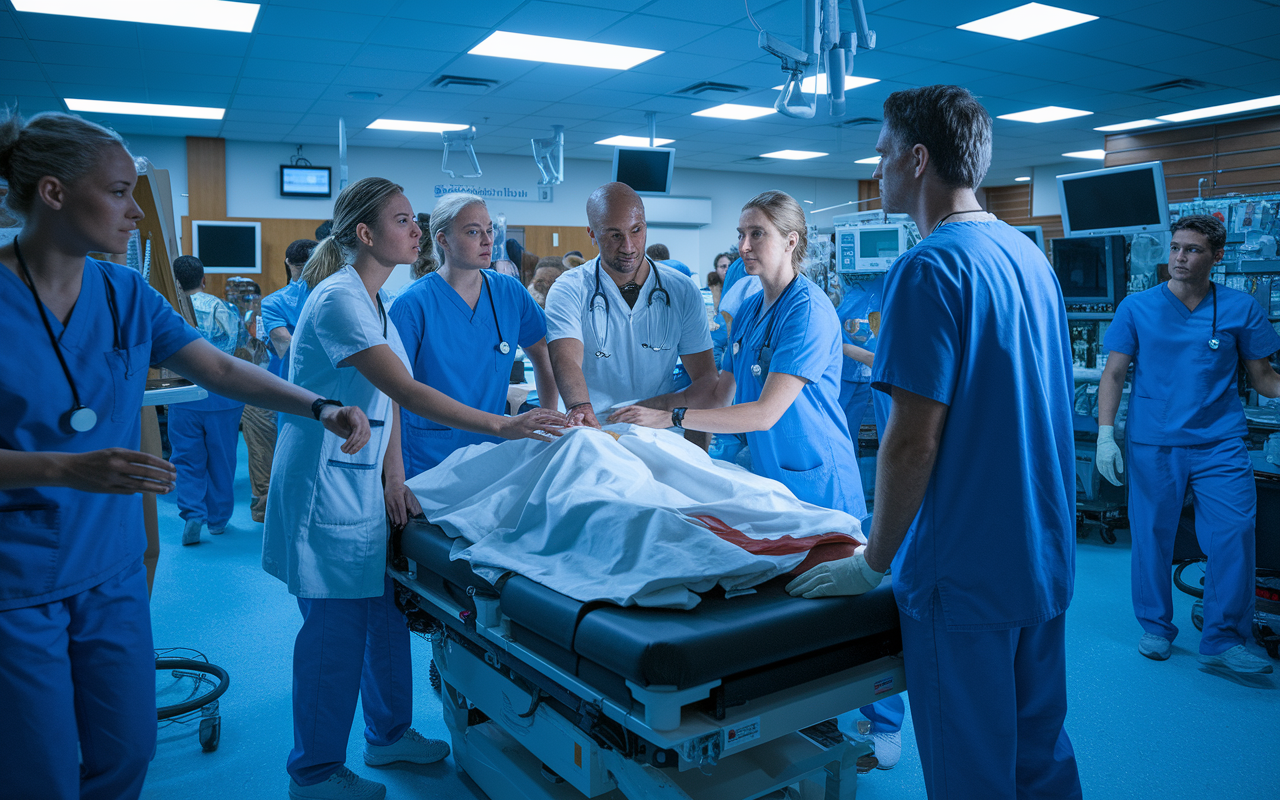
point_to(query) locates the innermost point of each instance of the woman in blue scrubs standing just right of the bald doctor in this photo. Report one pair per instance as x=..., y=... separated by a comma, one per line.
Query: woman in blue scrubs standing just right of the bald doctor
x=783, y=374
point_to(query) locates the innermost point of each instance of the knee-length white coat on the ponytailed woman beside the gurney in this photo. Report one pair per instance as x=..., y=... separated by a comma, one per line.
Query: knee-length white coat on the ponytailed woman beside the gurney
x=326, y=531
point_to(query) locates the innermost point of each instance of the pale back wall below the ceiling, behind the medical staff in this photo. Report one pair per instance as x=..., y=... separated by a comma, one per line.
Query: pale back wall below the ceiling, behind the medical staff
x=253, y=189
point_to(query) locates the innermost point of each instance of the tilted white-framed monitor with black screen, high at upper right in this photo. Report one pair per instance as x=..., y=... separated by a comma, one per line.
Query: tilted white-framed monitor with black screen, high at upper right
x=1116, y=200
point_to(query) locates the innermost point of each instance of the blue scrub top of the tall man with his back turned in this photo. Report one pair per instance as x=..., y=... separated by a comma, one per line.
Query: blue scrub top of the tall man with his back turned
x=975, y=319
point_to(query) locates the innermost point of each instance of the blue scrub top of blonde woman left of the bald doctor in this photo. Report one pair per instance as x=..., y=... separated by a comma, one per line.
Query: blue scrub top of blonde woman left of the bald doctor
x=455, y=350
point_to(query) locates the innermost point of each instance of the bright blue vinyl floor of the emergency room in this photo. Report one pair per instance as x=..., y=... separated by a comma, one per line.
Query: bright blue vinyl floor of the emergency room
x=1142, y=730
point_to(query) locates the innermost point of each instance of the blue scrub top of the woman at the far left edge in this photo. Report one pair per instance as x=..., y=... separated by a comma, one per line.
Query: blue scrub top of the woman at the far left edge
x=58, y=542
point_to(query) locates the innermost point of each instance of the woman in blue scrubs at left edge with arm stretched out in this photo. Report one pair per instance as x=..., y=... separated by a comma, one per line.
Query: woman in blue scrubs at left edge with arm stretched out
x=77, y=668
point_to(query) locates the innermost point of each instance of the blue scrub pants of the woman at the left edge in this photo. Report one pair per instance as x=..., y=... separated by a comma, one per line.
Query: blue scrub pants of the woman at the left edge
x=79, y=671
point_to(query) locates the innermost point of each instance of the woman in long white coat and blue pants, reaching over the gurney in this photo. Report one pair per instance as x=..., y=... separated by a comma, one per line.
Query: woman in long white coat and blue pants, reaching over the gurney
x=326, y=515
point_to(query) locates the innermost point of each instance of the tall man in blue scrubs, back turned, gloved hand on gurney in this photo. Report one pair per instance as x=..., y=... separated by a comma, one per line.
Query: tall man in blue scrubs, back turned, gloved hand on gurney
x=976, y=481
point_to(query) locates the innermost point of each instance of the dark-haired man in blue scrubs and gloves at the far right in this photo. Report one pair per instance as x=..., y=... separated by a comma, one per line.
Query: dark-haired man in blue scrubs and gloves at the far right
x=1187, y=431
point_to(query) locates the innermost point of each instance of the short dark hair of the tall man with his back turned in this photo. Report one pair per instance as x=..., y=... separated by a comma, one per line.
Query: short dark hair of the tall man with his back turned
x=950, y=124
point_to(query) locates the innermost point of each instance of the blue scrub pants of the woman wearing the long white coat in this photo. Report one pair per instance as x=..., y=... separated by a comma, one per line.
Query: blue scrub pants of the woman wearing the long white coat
x=349, y=648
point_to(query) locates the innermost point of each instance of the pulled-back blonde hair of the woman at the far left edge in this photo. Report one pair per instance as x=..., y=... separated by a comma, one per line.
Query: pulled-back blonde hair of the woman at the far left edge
x=49, y=145
